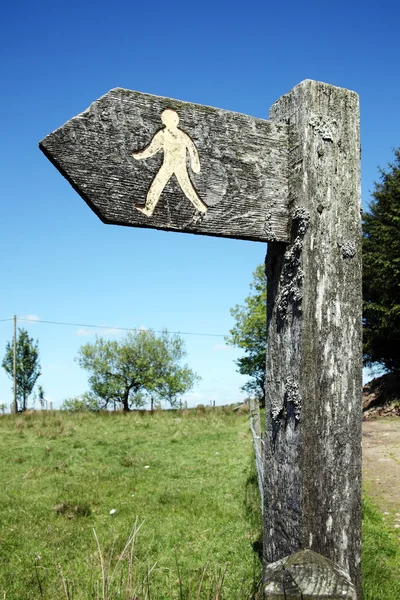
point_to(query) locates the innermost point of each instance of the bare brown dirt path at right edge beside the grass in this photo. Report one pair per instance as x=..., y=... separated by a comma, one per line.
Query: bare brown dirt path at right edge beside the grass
x=381, y=466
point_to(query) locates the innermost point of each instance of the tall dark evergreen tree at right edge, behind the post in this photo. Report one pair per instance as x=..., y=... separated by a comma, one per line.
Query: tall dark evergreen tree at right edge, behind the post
x=381, y=272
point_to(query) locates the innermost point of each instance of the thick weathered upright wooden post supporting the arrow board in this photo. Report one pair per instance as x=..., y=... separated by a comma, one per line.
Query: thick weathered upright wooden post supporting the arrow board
x=312, y=493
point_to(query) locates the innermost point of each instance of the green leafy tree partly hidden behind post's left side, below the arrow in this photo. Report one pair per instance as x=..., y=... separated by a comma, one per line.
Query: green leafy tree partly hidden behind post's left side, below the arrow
x=250, y=334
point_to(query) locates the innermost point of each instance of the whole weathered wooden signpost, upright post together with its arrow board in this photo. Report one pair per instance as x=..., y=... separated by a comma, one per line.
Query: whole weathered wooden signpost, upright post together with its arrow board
x=294, y=182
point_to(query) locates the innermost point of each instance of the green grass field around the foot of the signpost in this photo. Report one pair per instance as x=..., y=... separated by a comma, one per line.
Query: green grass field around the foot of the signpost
x=187, y=476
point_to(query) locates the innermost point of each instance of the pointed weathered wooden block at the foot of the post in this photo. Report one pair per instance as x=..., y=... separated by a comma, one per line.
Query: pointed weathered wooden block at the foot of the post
x=304, y=576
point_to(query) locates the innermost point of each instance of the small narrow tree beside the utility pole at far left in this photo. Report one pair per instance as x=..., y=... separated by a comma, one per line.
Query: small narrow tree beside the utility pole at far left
x=27, y=363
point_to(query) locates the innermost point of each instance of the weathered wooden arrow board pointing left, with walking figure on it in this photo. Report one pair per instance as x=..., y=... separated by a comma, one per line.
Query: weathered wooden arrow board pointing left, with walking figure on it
x=147, y=161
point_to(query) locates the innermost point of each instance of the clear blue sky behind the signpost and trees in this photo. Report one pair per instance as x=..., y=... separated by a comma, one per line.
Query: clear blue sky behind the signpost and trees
x=58, y=261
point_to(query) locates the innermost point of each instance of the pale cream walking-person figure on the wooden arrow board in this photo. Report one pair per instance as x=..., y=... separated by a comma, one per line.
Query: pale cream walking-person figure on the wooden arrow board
x=175, y=143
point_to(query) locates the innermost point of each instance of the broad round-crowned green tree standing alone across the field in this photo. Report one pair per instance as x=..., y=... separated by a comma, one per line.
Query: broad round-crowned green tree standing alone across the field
x=140, y=368
